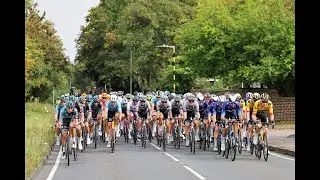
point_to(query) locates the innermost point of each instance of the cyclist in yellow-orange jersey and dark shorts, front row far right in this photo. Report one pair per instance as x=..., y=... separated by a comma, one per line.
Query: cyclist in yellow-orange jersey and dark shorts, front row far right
x=261, y=109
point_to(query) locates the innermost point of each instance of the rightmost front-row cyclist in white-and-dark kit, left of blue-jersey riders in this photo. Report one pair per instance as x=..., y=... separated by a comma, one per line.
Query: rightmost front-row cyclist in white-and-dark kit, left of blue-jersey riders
x=190, y=110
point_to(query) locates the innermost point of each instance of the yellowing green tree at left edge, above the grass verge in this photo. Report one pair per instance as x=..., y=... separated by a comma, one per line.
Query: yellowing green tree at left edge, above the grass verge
x=46, y=64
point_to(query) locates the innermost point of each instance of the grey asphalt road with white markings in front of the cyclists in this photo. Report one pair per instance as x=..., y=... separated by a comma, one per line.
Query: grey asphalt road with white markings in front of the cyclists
x=132, y=162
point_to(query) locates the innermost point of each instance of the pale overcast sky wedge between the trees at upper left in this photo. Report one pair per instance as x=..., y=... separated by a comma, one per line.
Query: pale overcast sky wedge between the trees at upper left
x=67, y=16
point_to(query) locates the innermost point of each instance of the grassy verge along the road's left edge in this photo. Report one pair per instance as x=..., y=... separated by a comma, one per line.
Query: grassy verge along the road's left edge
x=39, y=134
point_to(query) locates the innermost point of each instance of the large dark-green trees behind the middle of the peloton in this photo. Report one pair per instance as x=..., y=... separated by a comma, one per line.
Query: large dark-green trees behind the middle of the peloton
x=117, y=26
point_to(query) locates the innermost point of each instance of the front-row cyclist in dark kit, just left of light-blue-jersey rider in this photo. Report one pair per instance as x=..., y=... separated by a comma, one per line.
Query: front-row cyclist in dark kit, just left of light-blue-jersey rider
x=95, y=110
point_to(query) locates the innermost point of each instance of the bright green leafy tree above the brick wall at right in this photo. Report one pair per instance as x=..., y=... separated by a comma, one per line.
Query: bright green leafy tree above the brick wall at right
x=242, y=41
